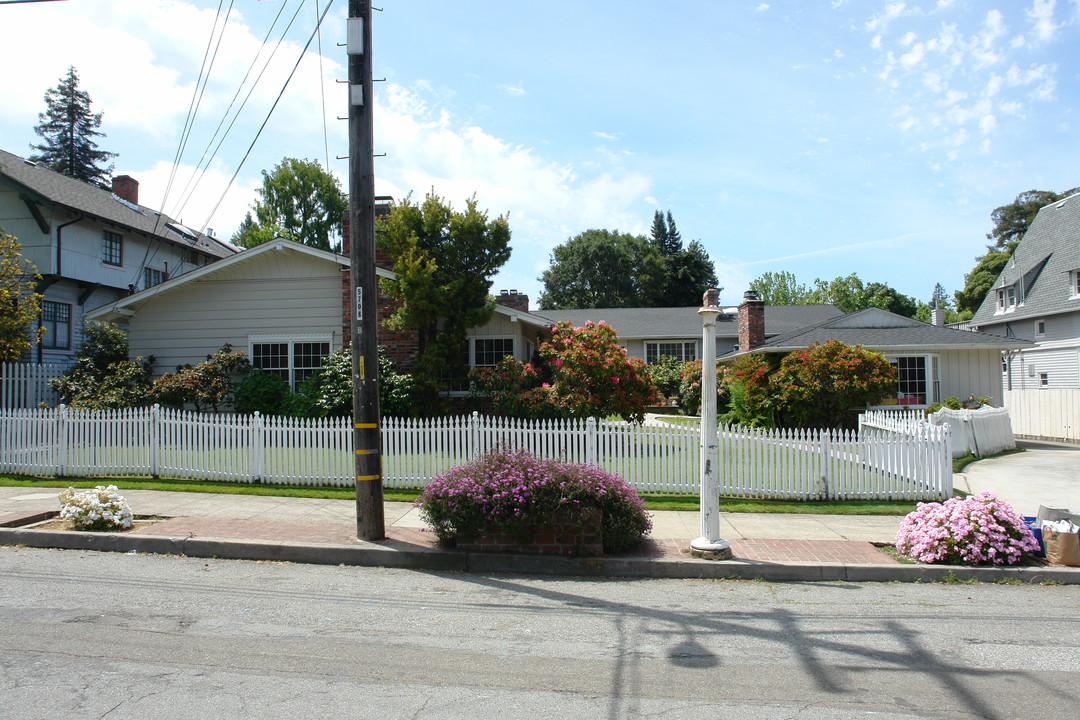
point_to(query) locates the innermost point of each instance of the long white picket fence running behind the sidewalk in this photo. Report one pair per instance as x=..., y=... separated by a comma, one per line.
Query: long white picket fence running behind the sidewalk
x=909, y=461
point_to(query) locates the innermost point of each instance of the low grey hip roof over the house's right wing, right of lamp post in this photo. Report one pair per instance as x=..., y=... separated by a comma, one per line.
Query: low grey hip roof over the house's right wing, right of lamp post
x=882, y=331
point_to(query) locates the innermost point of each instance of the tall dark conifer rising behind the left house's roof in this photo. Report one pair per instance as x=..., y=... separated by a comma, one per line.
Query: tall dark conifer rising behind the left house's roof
x=70, y=128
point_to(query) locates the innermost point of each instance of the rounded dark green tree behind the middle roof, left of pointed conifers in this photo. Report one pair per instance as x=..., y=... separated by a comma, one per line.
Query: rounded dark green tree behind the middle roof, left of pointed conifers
x=603, y=269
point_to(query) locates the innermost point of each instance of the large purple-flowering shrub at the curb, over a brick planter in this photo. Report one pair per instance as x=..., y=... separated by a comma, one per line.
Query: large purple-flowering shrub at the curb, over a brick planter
x=510, y=492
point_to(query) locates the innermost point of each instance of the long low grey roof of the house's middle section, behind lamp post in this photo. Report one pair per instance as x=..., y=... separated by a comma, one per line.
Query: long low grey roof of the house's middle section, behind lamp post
x=637, y=323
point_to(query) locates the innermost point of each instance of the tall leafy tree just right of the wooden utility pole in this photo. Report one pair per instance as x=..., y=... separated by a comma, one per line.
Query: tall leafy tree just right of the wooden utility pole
x=444, y=262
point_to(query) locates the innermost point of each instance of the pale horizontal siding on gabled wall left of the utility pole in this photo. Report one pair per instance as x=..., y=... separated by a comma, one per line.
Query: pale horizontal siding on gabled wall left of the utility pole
x=279, y=294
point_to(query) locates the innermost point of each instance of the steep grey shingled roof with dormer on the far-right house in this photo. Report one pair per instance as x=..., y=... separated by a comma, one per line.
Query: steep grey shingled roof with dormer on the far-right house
x=1041, y=267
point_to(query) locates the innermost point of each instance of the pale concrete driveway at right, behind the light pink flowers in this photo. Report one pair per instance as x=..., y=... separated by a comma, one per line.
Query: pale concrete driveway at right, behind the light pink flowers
x=1046, y=474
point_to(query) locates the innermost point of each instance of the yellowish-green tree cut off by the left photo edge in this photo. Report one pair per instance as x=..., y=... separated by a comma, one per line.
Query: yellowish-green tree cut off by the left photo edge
x=20, y=306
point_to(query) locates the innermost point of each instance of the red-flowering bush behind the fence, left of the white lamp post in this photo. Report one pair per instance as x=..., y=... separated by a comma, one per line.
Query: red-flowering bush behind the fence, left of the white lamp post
x=584, y=373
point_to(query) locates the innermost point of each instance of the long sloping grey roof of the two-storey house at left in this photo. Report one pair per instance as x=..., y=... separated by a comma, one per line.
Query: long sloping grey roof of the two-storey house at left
x=51, y=189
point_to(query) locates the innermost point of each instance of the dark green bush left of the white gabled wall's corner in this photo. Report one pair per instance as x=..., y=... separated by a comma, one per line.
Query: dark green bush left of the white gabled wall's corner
x=103, y=377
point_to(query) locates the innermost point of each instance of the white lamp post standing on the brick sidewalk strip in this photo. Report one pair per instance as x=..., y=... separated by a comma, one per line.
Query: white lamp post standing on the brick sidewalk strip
x=710, y=545
